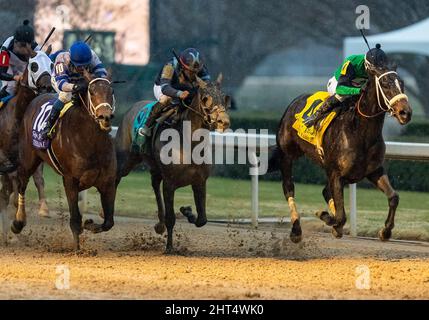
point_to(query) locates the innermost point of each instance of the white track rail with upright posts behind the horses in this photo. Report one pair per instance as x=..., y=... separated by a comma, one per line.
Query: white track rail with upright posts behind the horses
x=394, y=150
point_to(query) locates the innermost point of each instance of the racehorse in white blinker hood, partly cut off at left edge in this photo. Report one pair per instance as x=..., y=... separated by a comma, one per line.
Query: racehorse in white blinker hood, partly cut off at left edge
x=36, y=80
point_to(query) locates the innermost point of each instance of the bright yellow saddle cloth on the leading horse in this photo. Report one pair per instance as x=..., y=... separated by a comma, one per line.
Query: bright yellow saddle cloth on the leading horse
x=310, y=134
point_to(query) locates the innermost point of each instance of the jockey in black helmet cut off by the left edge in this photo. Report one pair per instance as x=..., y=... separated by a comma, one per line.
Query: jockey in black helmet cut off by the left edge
x=14, y=55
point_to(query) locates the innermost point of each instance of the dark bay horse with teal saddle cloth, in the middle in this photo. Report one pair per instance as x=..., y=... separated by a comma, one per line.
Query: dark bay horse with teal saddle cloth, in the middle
x=207, y=111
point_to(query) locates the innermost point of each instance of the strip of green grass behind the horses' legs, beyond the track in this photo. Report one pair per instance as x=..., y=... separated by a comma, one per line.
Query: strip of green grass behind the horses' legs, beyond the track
x=228, y=198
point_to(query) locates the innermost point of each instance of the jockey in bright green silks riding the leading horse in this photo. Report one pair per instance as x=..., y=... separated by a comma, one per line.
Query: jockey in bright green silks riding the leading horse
x=349, y=80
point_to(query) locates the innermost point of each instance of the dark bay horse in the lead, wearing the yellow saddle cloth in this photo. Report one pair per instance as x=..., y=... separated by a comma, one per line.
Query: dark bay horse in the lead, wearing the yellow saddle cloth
x=353, y=146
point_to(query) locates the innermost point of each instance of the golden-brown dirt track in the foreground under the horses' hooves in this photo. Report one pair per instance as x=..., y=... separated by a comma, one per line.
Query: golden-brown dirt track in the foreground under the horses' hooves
x=215, y=262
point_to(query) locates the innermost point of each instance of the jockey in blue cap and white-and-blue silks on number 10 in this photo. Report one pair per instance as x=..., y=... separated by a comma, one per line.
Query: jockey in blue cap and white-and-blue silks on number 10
x=67, y=77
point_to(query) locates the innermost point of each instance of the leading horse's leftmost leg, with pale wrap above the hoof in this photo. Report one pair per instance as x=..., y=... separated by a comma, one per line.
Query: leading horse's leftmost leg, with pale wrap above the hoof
x=289, y=193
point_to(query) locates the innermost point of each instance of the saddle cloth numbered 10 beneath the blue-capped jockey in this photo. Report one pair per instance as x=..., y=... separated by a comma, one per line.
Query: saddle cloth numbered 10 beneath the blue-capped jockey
x=40, y=122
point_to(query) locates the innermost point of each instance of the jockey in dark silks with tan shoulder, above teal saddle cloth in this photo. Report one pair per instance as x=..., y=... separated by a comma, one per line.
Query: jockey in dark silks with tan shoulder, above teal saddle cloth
x=175, y=82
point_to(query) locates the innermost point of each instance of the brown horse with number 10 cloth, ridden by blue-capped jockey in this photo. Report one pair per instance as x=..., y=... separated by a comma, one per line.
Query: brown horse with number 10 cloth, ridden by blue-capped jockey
x=84, y=153
